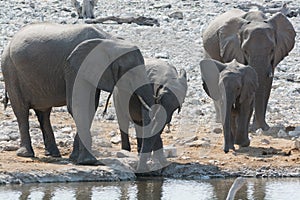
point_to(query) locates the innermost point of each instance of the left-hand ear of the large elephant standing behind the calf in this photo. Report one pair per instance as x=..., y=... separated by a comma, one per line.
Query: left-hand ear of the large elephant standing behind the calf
x=230, y=41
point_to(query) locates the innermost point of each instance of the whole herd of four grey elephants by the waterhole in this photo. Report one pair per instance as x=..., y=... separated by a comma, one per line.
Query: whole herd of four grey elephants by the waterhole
x=48, y=65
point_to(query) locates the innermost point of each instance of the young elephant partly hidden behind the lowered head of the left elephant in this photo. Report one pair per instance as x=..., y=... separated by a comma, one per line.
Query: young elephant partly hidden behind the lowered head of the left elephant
x=170, y=89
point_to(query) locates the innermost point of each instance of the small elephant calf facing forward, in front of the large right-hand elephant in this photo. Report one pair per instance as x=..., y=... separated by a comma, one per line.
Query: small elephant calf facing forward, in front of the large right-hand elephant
x=232, y=86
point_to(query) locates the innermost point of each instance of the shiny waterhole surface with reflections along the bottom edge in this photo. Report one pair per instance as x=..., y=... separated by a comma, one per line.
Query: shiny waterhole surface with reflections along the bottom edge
x=157, y=188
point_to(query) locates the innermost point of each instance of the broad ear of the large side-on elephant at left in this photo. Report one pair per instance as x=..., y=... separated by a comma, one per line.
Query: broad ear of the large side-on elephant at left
x=95, y=60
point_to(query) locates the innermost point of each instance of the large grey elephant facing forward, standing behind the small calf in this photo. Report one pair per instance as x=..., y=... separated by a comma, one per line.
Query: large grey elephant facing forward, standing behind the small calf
x=252, y=39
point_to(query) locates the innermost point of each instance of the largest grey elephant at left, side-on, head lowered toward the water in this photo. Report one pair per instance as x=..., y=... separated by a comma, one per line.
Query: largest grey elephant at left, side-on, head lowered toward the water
x=49, y=65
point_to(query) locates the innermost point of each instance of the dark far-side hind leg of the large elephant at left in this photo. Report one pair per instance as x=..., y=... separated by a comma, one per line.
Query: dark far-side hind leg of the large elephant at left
x=48, y=136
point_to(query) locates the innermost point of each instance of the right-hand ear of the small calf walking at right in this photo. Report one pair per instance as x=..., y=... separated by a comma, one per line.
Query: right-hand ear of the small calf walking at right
x=249, y=83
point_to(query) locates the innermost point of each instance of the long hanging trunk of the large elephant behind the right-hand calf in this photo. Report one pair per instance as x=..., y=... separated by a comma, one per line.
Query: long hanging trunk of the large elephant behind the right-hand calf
x=264, y=71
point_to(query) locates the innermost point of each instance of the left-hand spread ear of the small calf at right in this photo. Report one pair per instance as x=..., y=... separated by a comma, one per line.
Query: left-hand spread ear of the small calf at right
x=210, y=71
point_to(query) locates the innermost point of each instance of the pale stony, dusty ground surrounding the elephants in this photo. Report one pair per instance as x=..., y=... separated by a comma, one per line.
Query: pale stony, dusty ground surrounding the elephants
x=194, y=135
